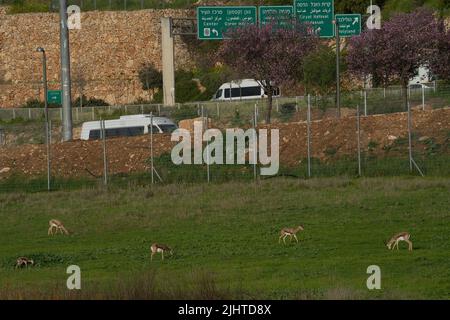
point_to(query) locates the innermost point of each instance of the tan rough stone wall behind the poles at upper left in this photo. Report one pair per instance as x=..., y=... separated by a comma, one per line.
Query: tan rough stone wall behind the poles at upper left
x=106, y=54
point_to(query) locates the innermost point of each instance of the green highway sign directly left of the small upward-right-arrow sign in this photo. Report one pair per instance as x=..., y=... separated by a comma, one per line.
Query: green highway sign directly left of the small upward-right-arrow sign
x=318, y=13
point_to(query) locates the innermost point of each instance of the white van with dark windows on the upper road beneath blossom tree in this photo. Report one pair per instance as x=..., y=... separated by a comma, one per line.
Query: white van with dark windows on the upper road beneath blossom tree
x=245, y=89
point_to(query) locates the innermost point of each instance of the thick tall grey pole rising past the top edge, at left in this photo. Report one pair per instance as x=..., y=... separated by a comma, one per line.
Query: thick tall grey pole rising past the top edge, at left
x=65, y=72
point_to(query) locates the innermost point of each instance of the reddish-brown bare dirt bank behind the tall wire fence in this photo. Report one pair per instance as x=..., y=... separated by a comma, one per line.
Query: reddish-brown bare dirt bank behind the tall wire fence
x=331, y=138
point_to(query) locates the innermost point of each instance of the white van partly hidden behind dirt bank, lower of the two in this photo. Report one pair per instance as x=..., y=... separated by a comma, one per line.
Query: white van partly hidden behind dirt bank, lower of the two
x=127, y=126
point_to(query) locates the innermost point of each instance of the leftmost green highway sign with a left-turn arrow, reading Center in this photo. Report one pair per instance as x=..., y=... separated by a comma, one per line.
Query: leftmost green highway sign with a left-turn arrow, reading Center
x=213, y=22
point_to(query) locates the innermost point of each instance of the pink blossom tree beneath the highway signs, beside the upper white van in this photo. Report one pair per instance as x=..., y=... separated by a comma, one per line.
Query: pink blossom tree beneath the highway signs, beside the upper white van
x=273, y=56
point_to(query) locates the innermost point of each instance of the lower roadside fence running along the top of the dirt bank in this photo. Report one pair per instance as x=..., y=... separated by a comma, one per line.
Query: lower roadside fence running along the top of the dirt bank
x=371, y=101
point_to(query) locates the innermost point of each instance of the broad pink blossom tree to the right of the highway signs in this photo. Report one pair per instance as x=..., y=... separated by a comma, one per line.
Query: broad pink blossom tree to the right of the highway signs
x=395, y=52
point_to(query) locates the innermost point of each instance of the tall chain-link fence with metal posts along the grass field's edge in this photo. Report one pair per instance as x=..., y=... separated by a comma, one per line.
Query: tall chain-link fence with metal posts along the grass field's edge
x=313, y=142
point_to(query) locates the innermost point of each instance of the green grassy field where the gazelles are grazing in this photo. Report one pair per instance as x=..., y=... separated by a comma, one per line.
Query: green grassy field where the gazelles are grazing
x=229, y=232
